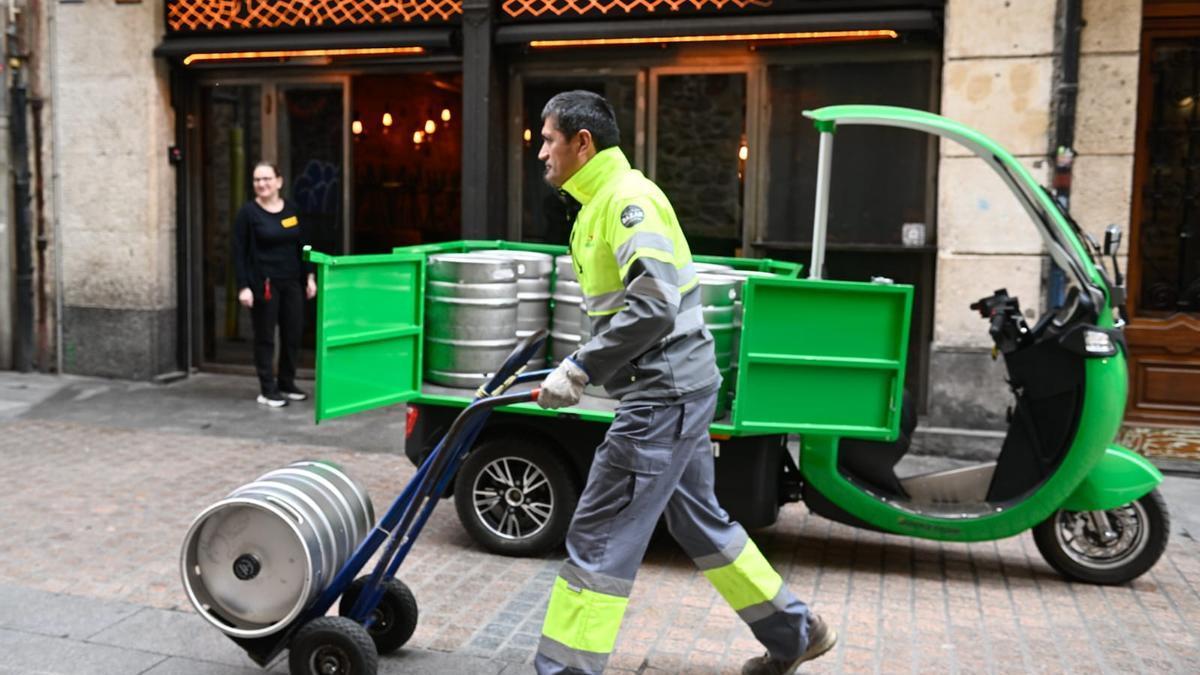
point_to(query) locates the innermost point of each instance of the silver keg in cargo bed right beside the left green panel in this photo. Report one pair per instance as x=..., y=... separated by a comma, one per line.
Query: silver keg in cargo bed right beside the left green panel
x=471, y=318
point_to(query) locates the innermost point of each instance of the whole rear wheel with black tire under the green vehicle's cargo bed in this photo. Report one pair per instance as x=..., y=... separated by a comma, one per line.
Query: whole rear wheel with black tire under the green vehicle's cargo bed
x=501, y=512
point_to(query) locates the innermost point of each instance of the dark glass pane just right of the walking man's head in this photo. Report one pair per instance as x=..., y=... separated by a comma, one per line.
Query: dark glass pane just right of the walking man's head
x=701, y=129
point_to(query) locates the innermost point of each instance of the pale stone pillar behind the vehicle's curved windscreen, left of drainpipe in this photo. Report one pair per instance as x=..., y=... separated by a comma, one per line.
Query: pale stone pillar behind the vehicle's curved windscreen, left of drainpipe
x=998, y=77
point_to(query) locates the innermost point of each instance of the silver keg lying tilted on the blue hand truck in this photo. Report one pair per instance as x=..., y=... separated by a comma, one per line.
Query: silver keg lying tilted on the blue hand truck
x=254, y=561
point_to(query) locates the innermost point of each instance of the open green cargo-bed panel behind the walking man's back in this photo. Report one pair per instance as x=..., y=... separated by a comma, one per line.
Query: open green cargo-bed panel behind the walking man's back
x=823, y=357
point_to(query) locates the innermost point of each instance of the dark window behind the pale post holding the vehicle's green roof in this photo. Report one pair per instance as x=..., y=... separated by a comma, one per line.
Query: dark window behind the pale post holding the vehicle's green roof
x=880, y=176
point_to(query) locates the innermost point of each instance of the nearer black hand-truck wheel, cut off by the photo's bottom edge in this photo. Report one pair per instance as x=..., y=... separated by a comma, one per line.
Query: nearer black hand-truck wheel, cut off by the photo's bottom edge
x=333, y=646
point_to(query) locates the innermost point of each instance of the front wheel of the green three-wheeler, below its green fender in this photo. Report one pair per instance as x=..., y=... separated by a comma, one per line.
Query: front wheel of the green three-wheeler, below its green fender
x=1072, y=546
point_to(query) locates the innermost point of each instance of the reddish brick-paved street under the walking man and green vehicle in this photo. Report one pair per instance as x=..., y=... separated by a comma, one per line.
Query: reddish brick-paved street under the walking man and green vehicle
x=100, y=513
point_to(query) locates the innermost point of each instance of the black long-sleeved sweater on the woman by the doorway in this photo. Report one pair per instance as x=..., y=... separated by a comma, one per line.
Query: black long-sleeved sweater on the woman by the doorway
x=267, y=246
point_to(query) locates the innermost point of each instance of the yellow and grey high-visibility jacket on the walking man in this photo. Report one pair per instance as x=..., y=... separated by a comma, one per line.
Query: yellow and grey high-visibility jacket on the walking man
x=640, y=288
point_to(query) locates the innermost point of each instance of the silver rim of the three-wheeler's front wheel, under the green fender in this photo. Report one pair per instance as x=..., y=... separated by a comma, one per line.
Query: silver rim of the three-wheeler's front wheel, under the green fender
x=1079, y=540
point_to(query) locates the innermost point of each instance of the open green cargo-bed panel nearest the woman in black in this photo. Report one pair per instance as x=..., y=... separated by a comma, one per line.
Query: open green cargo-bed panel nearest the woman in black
x=370, y=310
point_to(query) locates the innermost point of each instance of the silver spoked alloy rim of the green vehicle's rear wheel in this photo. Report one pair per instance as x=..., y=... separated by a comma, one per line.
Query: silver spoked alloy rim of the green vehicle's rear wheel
x=513, y=498
